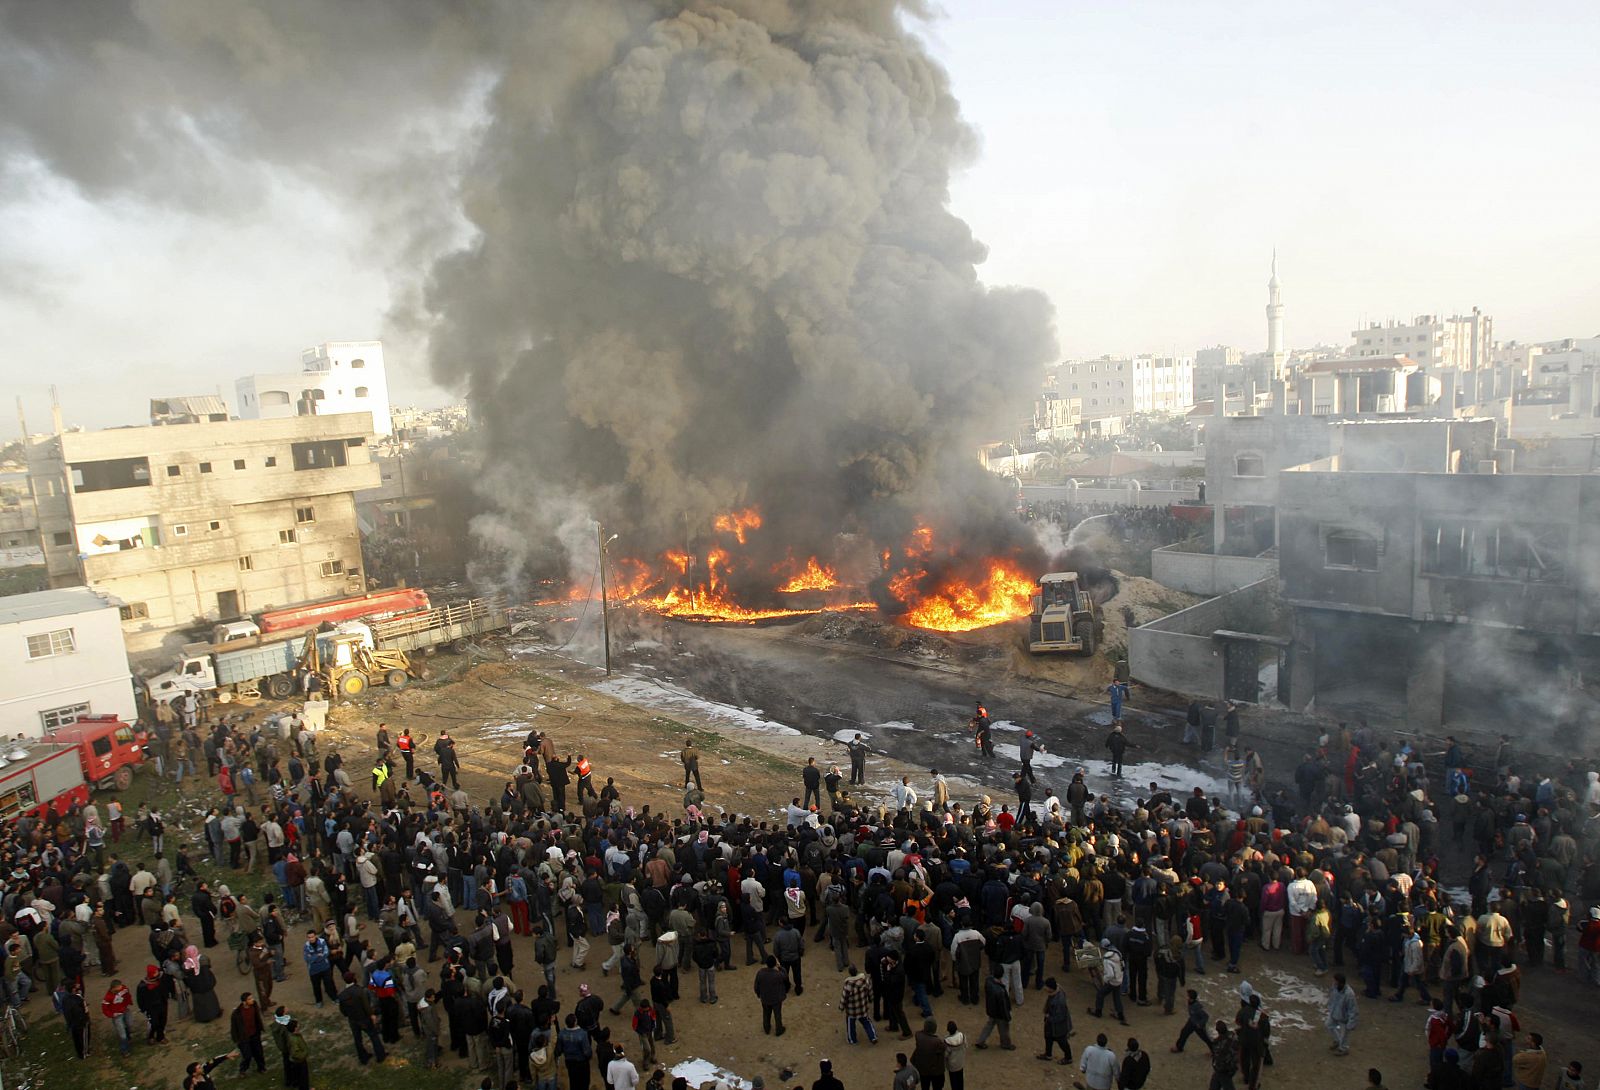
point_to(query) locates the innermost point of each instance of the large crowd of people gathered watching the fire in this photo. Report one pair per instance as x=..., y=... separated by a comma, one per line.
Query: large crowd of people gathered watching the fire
x=409, y=904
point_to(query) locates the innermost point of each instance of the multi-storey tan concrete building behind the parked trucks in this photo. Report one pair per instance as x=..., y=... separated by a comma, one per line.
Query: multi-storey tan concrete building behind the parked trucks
x=202, y=523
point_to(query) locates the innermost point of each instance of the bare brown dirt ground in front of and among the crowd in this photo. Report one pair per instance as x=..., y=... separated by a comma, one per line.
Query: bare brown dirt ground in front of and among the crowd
x=490, y=707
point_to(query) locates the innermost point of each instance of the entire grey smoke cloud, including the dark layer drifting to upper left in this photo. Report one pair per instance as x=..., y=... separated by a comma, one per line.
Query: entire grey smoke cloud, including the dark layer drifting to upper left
x=711, y=258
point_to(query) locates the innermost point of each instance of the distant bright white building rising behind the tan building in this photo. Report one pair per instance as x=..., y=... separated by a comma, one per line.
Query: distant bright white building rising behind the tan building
x=340, y=377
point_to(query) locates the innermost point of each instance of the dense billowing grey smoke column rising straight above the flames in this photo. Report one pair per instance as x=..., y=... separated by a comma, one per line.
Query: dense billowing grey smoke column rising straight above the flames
x=716, y=268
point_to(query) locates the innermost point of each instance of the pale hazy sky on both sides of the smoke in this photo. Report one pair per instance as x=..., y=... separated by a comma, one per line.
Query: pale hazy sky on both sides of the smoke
x=1140, y=161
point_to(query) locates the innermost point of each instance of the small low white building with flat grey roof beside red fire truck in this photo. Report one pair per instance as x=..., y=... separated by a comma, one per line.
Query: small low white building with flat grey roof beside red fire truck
x=62, y=657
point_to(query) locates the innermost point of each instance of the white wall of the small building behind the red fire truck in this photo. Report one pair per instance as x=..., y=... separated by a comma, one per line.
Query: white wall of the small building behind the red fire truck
x=95, y=675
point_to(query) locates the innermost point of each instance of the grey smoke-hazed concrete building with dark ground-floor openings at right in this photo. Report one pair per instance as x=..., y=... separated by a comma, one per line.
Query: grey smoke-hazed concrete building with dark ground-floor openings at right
x=1433, y=587
